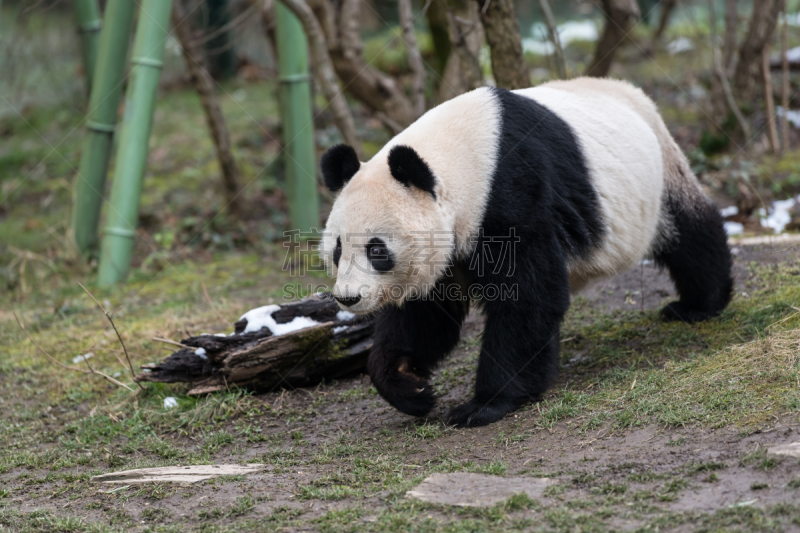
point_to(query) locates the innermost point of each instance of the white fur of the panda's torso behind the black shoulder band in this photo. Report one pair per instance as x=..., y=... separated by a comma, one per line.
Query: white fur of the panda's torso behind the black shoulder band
x=625, y=166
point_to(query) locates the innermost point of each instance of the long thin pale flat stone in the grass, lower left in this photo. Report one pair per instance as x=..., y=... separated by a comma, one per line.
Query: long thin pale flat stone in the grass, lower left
x=175, y=474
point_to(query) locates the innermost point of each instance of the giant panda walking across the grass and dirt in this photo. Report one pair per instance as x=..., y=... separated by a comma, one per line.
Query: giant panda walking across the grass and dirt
x=577, y=179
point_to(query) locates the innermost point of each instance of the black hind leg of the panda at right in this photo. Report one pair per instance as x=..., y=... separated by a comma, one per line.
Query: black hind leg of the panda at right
x=697, y=256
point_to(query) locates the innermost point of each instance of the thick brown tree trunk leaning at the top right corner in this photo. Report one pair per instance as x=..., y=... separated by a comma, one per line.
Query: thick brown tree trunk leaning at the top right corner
x=759, y=33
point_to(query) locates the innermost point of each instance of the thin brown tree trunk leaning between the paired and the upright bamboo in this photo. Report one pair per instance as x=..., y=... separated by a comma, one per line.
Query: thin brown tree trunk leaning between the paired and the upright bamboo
x=204, y=85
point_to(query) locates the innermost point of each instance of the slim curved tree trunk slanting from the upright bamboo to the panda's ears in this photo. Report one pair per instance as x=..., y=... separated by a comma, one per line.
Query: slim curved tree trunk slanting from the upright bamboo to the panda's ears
x=326, y=76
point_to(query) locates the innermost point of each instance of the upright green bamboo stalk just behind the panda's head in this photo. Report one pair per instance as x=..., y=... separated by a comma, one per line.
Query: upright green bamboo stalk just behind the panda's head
x=298, y=126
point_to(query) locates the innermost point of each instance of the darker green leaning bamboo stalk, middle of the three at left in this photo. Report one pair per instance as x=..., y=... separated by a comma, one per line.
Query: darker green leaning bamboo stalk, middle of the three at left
x=100, y=122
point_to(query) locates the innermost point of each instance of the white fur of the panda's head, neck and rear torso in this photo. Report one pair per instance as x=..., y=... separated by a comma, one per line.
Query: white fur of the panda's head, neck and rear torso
x=626, y=147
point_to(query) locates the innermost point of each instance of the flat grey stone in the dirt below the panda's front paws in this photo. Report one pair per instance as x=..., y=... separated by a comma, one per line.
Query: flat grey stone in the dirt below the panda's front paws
x=476, y=490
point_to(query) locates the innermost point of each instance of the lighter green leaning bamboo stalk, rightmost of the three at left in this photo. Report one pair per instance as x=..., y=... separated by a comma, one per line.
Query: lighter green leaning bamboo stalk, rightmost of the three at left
x=132, y=150
